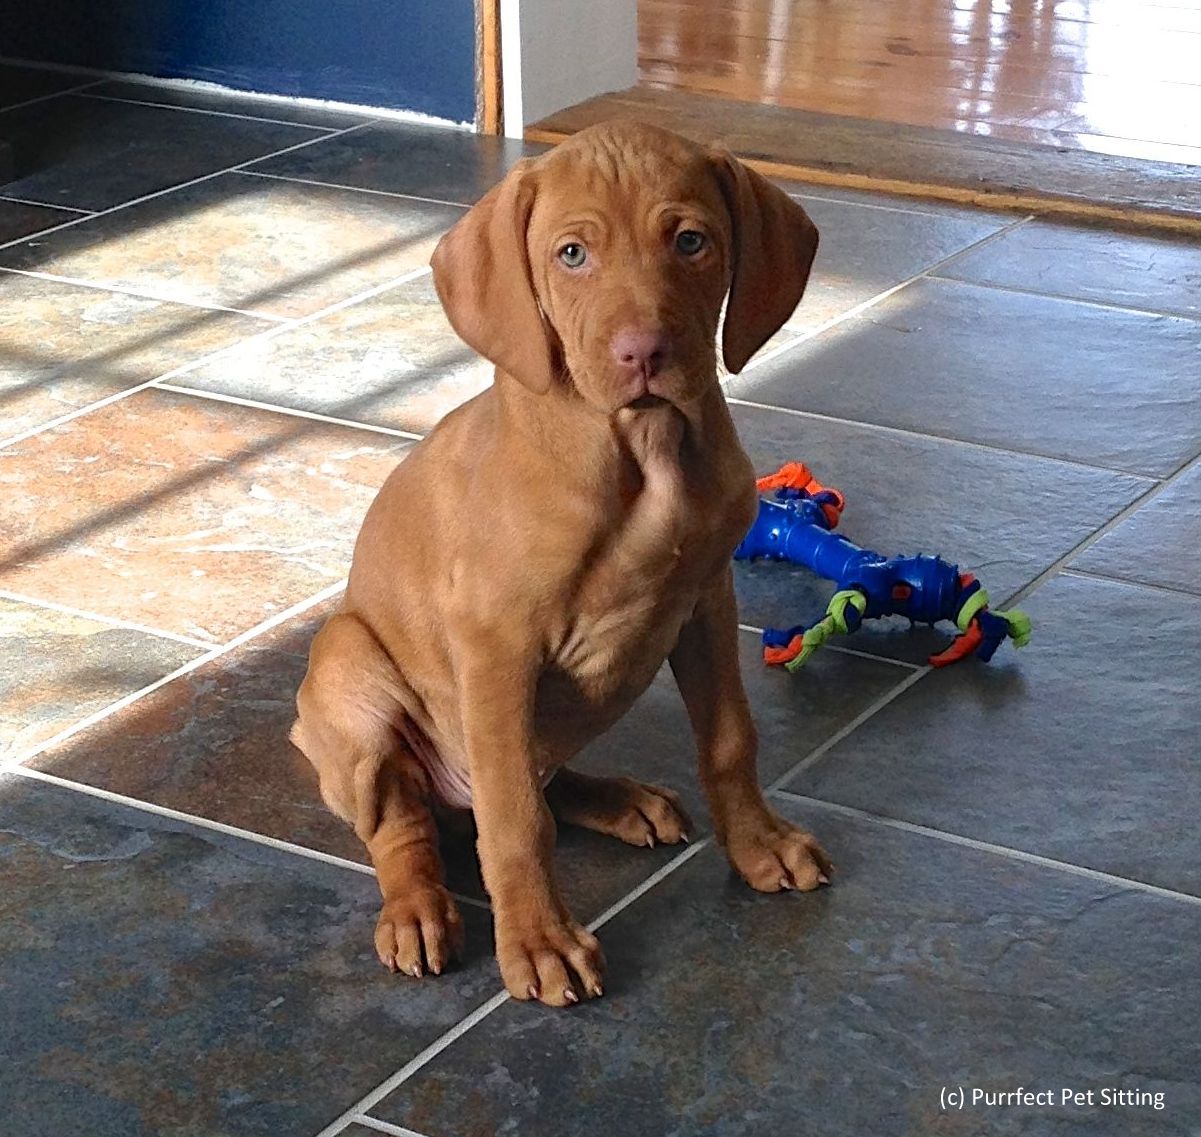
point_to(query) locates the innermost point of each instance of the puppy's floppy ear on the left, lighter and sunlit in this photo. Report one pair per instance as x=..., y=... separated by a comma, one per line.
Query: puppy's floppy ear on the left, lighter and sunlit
x=482, y=276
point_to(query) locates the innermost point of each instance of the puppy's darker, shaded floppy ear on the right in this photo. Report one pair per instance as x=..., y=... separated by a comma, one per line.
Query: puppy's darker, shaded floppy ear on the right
x=774, y=248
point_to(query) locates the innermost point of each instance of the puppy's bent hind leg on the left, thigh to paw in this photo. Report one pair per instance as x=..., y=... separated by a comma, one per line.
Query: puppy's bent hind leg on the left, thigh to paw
x=349, y=727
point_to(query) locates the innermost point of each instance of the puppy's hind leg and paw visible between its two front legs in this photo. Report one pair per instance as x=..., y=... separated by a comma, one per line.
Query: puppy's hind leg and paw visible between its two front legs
x=619, y=807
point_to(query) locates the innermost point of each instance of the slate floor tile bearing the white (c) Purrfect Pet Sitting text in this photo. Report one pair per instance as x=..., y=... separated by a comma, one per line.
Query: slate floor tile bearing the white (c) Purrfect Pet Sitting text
x=728, y=1014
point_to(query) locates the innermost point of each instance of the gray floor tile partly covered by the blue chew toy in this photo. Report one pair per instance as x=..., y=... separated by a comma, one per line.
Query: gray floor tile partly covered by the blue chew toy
x=1005, y=517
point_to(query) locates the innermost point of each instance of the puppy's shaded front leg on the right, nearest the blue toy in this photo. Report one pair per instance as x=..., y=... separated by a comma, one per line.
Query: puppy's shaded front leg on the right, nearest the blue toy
x=767, y=851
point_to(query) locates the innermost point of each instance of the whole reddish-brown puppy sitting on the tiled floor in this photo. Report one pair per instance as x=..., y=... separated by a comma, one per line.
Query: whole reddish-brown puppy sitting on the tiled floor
x=523, y=576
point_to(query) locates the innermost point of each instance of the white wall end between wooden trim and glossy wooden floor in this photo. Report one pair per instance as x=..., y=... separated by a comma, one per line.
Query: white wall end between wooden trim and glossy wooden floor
x=555, y=53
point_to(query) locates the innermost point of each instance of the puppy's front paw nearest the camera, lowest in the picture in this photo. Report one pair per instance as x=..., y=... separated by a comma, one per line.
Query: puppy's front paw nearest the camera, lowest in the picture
x=557, y=962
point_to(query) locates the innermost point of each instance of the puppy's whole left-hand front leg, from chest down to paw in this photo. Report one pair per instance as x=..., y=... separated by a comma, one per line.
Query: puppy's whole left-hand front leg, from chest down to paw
x=542, y=953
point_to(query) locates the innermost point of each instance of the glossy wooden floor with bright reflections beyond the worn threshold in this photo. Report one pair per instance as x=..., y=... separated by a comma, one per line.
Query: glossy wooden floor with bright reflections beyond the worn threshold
x=1112, y=76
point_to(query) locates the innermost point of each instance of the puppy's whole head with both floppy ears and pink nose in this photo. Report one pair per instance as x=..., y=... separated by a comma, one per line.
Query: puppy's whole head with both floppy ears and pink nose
x=605, y=265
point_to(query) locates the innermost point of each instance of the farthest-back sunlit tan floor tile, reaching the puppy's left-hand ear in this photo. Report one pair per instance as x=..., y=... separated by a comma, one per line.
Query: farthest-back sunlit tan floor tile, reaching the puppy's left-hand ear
x=265, y=247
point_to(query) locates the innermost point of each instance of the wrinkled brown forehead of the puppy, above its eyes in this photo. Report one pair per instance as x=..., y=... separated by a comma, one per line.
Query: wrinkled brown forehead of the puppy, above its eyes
x=625, y=173
